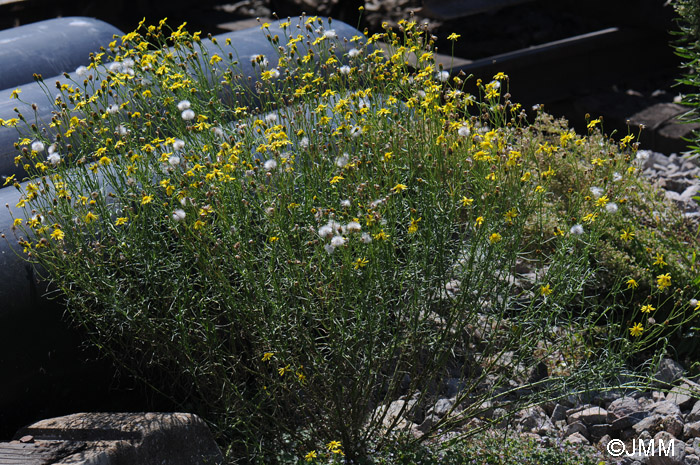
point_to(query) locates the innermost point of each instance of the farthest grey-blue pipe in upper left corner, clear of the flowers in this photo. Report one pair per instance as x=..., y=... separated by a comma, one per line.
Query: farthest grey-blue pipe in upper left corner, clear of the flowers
x=50, y=47
